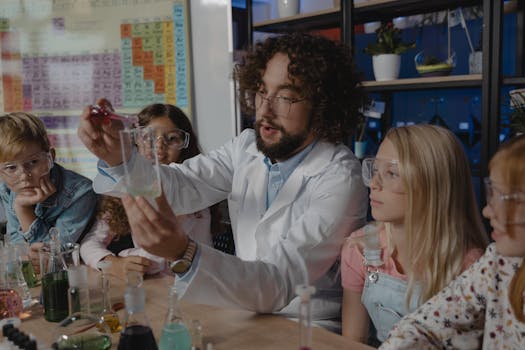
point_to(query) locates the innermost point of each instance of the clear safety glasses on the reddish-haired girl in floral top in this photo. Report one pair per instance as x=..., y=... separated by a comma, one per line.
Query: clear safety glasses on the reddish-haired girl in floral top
x=501, y=203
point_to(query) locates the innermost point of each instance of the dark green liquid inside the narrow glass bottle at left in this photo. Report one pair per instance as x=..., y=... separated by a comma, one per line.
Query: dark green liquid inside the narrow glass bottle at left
x=54, y=294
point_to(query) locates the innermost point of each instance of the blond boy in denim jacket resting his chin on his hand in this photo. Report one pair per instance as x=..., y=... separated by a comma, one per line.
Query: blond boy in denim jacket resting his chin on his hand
x=37, y=193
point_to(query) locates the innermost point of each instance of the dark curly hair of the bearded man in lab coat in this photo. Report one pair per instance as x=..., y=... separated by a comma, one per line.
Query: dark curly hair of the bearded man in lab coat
x=322, y=68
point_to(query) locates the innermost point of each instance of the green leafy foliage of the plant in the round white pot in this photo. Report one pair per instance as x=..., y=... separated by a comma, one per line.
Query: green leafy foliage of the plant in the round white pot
x=388, y=41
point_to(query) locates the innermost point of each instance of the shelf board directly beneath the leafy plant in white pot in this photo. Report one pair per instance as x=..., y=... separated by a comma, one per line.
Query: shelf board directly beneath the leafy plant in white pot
x=451, y=81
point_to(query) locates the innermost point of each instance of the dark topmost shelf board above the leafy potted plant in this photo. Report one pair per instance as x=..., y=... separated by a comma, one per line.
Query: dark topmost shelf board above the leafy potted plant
x=388, y=9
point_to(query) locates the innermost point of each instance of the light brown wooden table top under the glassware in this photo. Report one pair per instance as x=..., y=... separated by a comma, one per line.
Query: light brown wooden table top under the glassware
x=224, y=328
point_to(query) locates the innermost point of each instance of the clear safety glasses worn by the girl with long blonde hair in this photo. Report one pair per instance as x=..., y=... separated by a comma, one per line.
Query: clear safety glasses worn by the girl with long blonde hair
x=386, y=172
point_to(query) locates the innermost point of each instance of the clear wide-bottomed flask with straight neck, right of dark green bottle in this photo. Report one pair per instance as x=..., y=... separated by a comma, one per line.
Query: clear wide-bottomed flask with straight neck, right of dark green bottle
x=81, y=329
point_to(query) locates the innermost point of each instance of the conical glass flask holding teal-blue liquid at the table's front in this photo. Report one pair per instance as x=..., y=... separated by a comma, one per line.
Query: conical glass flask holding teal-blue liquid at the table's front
x=175, y=334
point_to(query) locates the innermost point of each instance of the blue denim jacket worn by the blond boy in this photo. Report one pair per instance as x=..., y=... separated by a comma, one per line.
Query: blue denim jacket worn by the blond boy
x=70, y=209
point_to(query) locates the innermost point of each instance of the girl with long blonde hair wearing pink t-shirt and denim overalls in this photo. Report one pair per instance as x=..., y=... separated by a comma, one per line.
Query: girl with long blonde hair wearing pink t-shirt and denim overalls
x=428, y=229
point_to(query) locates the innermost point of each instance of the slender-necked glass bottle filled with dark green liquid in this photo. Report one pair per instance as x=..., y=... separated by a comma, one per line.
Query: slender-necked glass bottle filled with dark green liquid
x=54, y=282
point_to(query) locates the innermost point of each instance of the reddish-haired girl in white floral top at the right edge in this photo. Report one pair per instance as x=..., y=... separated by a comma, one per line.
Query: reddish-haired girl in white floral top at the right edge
x=482, y=308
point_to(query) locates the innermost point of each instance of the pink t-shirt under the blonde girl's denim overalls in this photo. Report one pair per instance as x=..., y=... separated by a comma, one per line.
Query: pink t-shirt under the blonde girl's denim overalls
x=353, y=269
